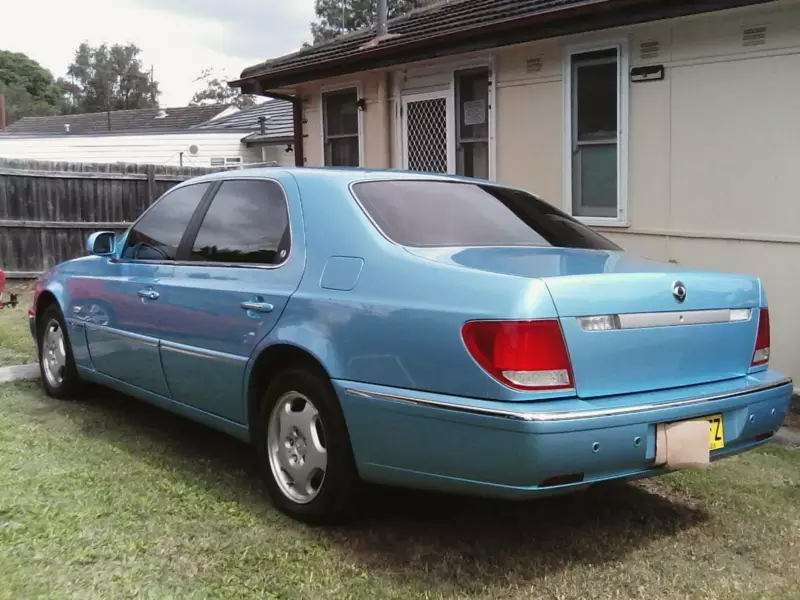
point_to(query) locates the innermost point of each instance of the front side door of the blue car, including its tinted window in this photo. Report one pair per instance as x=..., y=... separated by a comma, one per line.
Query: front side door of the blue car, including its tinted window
x=121, y=309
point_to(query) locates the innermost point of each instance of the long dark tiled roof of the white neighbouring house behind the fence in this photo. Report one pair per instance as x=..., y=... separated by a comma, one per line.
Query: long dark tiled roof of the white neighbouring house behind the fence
x=146, y=120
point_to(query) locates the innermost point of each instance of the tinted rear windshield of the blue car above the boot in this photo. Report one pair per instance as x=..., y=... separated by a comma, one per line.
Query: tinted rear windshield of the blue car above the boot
x=441, y=213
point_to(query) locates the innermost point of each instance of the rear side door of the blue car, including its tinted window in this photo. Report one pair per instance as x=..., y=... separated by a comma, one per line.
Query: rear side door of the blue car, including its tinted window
x=231, y=286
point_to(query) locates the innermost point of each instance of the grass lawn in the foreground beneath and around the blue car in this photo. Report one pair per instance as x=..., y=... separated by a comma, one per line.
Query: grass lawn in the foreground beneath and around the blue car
x=111, y=498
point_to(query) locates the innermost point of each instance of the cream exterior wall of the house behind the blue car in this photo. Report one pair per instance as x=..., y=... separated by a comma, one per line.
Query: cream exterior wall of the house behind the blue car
x=712, y=147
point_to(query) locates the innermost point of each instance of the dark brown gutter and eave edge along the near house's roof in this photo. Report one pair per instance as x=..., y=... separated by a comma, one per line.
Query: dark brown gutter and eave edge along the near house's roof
x=554, y=22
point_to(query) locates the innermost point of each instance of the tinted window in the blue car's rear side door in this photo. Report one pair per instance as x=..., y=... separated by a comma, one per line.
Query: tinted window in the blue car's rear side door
x=246, y=223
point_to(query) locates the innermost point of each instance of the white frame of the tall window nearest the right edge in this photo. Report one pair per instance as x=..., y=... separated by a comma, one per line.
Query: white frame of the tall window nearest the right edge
x=623, y=132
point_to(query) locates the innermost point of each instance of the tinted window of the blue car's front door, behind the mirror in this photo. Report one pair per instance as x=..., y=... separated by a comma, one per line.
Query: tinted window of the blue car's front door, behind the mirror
x=158, y=234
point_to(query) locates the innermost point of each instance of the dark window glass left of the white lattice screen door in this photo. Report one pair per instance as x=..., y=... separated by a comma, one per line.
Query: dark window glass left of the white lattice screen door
x=341, y=128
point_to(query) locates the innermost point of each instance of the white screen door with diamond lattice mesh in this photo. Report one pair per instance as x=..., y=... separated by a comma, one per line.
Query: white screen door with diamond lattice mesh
x=428, y=143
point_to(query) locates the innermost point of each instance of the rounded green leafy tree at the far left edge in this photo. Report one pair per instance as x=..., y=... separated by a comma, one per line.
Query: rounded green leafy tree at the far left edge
x=29, y=88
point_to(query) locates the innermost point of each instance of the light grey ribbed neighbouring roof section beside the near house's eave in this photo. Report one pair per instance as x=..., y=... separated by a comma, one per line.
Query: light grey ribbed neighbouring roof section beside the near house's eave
x=278, y=124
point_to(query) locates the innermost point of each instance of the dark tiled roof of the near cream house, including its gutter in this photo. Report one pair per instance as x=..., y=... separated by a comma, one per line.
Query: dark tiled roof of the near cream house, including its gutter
x=460, y=26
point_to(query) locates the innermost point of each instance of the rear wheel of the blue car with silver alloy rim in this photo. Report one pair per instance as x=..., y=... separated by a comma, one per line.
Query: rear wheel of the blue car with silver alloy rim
x=299, y=416
